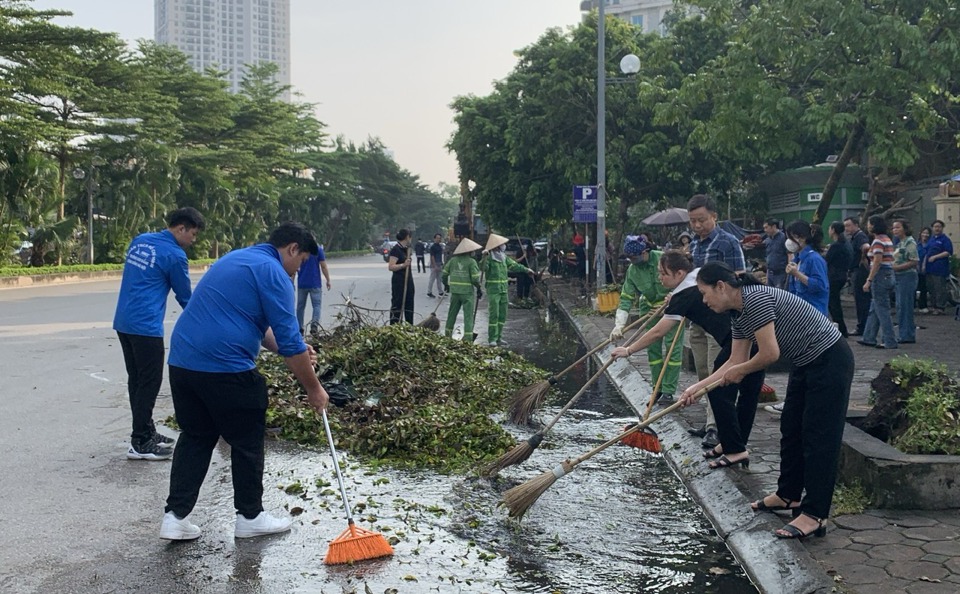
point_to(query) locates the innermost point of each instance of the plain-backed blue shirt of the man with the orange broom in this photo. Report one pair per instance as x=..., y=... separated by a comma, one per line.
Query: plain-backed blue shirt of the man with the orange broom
x=243, y=294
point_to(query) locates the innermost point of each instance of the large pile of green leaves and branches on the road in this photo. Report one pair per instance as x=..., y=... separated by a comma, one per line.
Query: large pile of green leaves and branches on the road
x=434, y=397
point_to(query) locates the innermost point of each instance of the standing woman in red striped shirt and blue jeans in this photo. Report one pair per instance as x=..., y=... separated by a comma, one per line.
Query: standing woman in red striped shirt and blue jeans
x=880, y=283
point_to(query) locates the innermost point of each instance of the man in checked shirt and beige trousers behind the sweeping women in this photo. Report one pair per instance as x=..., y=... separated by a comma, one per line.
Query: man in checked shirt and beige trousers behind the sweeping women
x=710, y=243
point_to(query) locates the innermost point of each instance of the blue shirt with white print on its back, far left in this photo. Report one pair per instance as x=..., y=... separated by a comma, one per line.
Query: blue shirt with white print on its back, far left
x=155, y=264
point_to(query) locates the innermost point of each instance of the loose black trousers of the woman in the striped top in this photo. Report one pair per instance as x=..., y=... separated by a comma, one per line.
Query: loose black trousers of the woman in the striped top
x=811, y=429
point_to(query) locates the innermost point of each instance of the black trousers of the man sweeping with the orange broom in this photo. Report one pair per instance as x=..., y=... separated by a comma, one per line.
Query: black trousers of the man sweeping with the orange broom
x=210, y=406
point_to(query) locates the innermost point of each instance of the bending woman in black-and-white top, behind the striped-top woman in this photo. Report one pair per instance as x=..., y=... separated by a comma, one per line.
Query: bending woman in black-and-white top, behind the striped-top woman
x=734, y=405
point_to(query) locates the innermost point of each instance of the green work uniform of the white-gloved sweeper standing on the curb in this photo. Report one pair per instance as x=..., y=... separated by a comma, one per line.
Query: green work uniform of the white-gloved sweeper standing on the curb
x=642, y=284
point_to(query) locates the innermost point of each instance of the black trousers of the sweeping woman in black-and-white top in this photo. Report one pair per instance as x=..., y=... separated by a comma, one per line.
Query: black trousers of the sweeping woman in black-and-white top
x=734, y=415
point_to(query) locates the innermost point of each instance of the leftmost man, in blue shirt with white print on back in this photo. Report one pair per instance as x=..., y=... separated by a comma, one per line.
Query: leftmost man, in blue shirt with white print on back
x=155, y=264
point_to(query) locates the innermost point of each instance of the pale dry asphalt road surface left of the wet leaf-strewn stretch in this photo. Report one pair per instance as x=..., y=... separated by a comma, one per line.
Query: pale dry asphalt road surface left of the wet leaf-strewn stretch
x=67, y=493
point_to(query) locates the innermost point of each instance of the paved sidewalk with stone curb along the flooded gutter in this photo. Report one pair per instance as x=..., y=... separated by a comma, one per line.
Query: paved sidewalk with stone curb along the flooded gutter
x=879, y=551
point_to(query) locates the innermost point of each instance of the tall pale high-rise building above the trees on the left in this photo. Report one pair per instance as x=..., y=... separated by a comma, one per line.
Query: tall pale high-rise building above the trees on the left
x=227, y=34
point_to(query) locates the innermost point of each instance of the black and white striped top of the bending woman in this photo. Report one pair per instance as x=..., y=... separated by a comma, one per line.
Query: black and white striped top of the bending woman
x=802, y=332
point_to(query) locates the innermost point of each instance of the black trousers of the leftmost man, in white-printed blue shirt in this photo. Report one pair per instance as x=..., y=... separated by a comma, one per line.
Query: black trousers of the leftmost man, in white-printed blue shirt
x=143, y=357
